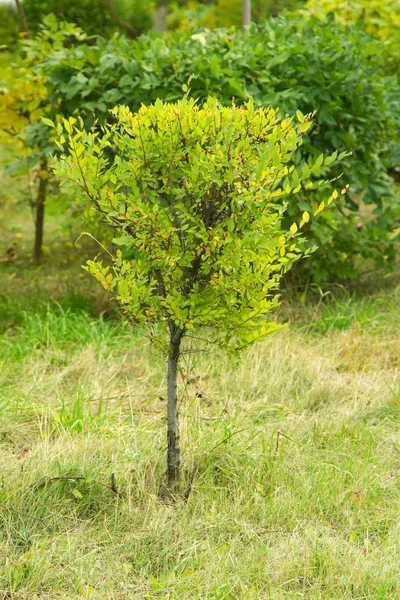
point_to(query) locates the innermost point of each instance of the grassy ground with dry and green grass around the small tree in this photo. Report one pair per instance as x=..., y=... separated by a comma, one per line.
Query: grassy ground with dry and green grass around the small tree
x=298, y=447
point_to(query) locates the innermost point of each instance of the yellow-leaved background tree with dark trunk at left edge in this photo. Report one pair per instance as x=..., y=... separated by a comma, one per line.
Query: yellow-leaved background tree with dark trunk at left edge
x=23, y=102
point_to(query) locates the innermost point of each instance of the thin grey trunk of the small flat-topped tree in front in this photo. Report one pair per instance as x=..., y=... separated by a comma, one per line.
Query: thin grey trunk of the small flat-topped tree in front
x=174, y=451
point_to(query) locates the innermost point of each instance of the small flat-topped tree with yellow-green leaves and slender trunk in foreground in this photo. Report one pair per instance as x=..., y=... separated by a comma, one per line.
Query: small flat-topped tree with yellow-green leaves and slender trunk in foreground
x=196, y=196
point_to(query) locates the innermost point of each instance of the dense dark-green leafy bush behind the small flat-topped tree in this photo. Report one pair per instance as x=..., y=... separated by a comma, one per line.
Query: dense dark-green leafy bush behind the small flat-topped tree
x=288, y=64
